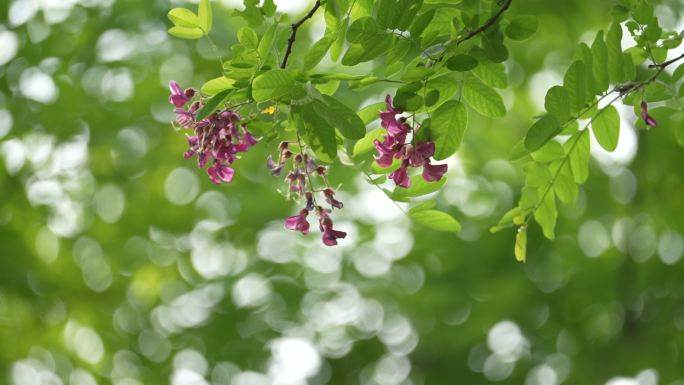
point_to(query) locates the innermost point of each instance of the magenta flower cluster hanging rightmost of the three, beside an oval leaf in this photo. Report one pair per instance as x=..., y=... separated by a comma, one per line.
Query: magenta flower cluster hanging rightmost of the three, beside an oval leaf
x=395, y=146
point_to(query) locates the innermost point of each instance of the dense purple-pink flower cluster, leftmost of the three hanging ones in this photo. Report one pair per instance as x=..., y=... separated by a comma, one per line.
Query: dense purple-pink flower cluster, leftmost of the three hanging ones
x=217, y=139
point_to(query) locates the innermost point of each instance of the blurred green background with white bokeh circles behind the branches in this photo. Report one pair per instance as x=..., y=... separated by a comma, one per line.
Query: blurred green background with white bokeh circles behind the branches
x=121, y=263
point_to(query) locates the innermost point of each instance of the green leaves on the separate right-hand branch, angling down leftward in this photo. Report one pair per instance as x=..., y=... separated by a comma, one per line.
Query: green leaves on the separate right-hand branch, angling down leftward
x=556, y=149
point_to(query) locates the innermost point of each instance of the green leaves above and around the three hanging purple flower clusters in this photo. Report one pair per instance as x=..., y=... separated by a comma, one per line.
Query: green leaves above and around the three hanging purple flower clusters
x=431, y=50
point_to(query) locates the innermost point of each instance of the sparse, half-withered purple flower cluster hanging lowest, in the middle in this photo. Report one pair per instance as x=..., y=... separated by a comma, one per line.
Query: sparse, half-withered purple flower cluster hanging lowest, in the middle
x=299, y=187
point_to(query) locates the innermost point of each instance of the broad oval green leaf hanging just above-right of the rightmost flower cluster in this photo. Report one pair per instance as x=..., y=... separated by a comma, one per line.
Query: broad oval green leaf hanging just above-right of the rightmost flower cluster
x=449, y=123
